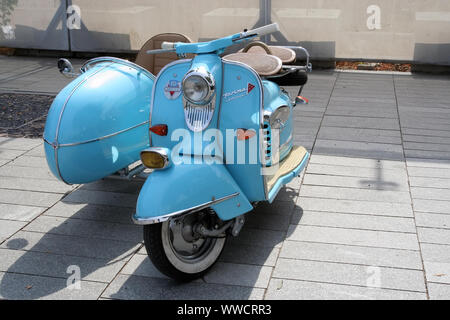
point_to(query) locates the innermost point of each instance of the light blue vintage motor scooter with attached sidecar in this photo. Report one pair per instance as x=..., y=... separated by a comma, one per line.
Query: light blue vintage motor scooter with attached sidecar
x=215, y=131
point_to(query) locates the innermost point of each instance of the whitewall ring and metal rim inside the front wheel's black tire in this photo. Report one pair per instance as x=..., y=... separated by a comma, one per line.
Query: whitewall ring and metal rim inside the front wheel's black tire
x=188, y=253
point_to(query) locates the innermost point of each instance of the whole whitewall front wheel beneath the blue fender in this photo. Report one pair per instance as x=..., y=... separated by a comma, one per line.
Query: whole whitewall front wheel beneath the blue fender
x=178, y=251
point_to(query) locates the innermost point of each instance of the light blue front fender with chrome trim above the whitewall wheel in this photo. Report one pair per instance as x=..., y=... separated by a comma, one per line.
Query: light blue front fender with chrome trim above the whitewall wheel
x=185, y=188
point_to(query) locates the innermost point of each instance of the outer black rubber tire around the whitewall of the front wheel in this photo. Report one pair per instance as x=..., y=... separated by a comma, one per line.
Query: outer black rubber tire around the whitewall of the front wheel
x=153, y=241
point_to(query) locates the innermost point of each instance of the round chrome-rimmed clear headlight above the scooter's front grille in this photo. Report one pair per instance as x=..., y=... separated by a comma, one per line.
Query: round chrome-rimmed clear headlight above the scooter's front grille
x=198, y=86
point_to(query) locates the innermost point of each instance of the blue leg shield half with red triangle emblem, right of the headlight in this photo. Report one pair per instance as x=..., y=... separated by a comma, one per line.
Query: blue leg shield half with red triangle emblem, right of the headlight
x=241, y=107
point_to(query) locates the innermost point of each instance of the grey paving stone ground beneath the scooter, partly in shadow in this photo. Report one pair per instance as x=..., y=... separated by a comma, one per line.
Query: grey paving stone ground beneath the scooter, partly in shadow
x=368, y=219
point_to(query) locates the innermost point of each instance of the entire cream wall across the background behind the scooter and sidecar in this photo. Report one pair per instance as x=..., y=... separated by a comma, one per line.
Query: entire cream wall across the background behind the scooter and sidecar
x=407, y=30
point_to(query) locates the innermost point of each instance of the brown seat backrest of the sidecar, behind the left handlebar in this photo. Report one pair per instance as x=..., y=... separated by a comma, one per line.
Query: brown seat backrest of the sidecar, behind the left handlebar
x=155, y=62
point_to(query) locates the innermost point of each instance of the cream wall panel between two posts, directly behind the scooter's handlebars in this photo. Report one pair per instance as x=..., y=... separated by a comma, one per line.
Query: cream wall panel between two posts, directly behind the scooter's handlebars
x=127, y=25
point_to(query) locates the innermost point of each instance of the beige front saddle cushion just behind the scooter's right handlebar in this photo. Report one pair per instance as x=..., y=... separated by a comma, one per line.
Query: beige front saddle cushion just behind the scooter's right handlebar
x=262, y=63
